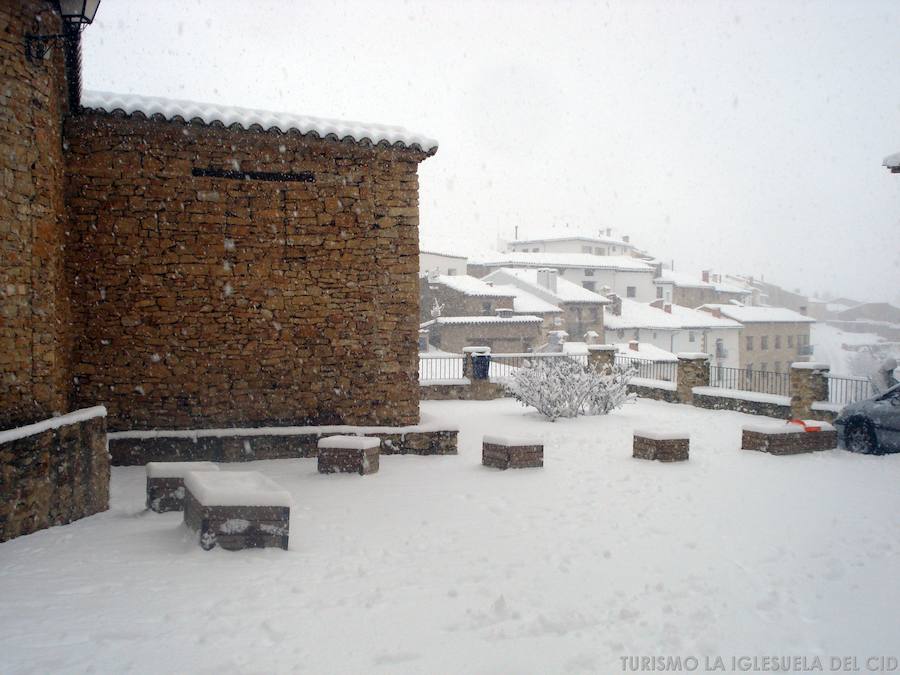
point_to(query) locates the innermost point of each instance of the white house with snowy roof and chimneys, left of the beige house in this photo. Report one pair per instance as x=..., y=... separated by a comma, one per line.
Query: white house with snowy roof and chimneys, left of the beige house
x=674, y=329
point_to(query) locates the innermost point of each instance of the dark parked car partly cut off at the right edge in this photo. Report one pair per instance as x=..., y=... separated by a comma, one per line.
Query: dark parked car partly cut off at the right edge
x=873, y=425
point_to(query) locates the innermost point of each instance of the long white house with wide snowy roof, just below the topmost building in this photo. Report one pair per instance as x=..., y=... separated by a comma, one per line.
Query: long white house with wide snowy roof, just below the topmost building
x=625, y=276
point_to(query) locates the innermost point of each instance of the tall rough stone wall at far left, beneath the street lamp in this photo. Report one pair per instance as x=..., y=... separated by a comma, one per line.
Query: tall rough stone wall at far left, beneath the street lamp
x=34, y=340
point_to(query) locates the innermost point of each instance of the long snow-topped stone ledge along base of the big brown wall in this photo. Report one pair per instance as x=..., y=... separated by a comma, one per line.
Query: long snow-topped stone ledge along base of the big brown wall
x=246, y=445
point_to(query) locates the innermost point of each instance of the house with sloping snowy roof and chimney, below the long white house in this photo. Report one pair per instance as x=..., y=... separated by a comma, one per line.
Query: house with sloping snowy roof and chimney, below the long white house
x=581, y=310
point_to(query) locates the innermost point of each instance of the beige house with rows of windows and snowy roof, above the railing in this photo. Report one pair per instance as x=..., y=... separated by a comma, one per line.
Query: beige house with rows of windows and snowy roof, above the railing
x=771, y=337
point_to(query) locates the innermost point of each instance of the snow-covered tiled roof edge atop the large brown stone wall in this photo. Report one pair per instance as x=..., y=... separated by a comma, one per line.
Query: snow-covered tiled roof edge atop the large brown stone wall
x=214, y=114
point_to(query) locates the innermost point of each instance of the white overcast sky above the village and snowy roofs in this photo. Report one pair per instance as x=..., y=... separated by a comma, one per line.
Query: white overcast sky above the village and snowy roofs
x=743, y=136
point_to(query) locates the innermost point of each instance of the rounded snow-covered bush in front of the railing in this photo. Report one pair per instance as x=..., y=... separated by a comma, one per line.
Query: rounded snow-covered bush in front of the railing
x=562, y=387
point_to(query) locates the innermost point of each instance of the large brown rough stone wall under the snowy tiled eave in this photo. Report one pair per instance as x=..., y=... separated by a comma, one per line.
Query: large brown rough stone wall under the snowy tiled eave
x=205, y=302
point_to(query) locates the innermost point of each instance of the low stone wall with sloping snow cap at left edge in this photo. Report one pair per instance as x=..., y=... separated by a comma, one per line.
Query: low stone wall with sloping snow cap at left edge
x=53, y=472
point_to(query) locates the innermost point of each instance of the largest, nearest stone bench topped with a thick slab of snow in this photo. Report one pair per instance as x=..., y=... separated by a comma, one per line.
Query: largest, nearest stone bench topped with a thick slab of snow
x=237, y=510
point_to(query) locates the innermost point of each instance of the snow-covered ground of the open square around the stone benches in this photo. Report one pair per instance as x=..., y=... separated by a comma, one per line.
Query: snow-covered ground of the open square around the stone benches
x=439, y=565
